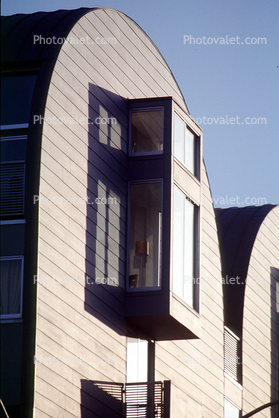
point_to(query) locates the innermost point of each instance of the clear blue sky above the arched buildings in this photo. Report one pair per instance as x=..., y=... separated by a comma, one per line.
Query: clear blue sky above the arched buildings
x=224, y=56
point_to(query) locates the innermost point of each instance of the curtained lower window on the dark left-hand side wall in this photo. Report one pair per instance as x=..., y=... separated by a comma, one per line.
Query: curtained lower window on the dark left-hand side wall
x=11, y=287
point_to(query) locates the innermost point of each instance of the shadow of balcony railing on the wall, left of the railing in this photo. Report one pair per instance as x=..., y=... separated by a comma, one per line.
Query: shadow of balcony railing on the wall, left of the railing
x=104, y=398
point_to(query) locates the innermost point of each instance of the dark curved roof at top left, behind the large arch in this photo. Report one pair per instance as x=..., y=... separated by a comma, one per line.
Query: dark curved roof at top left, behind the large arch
x=18, y=32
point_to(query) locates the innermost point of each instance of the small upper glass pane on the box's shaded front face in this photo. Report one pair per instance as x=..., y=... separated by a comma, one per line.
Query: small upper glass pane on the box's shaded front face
x=147, y=131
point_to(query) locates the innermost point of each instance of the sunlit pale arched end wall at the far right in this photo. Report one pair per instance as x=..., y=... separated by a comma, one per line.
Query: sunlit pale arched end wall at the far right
x=260, y=343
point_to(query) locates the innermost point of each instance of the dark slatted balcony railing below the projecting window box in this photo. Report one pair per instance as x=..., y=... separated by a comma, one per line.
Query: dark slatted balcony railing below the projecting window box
x=144, y=400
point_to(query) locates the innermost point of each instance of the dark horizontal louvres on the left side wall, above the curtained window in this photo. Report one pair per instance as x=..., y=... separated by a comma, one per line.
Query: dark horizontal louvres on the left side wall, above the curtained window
x=12, y=189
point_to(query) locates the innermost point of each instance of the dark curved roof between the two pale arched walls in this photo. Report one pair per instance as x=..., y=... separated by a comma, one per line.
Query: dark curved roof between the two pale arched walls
x=237, y=230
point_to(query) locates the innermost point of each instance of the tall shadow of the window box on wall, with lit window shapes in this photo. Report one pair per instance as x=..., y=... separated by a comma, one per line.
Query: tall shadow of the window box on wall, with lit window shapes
x=106, y=208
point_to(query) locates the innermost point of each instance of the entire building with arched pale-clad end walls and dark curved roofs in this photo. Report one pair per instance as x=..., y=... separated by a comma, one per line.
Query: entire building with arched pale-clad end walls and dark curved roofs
x=120, y=297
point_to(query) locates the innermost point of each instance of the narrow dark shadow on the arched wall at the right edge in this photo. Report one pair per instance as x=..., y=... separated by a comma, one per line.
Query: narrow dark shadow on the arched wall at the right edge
x=274, y=328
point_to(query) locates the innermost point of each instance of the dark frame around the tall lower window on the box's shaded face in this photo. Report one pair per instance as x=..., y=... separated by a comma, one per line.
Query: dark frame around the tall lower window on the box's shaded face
x=153, y=288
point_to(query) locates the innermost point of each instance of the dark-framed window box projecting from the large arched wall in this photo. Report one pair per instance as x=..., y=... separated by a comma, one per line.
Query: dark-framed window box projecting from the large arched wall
x=164, y=194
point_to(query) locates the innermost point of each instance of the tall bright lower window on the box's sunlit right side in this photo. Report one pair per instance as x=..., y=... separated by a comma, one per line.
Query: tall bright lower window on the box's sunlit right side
x=184, y=237
